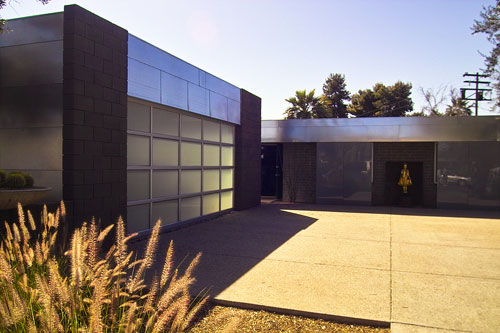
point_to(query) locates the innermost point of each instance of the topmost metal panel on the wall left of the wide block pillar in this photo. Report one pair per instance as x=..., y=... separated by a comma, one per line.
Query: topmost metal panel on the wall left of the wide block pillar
x=34, y=29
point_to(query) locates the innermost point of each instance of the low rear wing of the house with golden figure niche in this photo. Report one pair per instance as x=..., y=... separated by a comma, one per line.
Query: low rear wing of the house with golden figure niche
x=454, y=162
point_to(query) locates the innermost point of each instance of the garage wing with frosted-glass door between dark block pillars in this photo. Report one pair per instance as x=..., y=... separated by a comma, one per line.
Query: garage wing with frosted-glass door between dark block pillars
x=116, y=126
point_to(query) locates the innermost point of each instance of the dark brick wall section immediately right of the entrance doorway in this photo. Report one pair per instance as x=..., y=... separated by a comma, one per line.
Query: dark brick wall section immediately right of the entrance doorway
x=299, y=172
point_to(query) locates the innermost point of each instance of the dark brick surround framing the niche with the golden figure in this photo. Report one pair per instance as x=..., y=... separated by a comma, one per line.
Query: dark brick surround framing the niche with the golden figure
x=403, y=152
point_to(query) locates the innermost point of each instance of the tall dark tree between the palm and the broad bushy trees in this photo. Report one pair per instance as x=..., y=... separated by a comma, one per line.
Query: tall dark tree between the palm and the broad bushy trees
x=334, y=96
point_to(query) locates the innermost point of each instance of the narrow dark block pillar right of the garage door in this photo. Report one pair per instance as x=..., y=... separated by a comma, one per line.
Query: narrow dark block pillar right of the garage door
x=247, y=156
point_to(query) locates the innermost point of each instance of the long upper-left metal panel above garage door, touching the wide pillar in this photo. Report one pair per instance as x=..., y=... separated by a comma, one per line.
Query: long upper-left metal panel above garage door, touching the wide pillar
x=155, y=57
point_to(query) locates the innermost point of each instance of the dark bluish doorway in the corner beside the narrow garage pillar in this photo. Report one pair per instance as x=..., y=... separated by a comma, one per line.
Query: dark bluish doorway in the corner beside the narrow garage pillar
x=271, y=162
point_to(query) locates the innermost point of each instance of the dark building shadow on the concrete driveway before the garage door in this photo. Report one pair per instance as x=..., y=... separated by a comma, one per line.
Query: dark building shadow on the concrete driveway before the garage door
x=231, y=245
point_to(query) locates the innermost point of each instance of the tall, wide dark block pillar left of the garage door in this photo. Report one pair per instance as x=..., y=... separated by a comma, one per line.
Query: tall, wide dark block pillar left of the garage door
x=95, y=111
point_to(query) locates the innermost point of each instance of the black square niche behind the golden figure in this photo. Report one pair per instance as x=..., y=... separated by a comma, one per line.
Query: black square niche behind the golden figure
x=394, y=195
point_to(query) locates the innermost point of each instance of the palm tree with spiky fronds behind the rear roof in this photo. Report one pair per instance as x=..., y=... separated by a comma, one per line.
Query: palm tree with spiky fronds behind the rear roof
x=305, y=106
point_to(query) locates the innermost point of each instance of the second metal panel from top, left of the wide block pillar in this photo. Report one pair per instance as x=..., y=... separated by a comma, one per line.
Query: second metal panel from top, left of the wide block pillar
x=31, y=64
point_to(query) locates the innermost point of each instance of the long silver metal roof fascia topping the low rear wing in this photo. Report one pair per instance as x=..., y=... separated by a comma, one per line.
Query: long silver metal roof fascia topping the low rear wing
x=382, y=129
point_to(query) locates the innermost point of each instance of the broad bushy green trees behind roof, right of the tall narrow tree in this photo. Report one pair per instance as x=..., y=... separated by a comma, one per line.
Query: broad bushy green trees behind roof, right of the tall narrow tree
x=382, y=101
